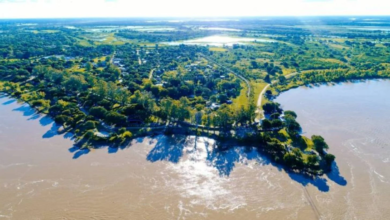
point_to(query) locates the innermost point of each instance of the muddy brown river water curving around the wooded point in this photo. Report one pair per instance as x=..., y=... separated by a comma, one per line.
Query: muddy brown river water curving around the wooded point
x=42, y=176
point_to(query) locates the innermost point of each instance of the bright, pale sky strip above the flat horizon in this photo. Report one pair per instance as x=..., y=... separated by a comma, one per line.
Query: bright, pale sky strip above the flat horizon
x=184, y=8
